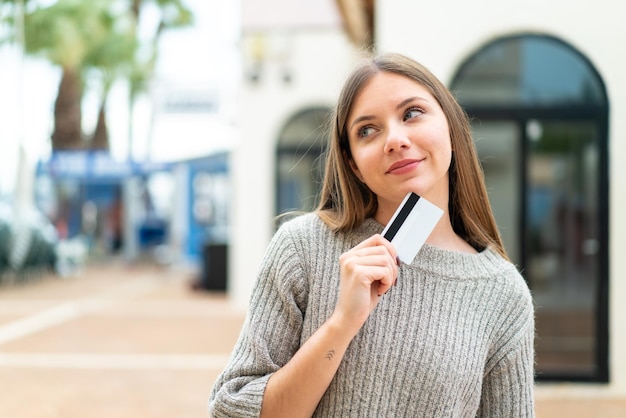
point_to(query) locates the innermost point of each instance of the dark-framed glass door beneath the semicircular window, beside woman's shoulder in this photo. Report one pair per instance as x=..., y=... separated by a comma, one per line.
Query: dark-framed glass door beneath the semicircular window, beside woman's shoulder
x=542, y=180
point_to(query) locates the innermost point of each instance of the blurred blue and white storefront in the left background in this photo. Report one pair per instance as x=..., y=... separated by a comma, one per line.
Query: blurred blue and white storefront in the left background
x=169, y=212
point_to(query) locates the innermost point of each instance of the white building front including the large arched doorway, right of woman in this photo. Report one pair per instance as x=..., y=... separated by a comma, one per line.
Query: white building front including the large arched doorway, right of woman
x=543, y=92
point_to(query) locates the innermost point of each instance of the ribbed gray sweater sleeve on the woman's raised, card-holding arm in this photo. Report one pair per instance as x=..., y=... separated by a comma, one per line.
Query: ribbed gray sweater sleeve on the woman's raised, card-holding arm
x=270, y=335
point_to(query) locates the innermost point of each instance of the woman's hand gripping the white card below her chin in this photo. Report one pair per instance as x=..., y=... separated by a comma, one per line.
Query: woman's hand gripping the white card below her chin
x=367, y=272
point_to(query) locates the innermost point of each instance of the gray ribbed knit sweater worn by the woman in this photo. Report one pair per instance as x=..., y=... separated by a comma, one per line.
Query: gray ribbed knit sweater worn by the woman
x=454, y=338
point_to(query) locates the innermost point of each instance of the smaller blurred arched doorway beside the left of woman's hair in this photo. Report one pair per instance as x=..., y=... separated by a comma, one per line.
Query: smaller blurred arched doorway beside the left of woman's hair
x=301, y=144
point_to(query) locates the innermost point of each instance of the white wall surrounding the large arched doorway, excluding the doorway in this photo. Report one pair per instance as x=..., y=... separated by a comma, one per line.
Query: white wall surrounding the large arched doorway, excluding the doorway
x=442, y=34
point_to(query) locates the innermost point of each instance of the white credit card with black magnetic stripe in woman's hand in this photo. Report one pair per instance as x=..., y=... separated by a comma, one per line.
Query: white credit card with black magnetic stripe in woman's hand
x=411, y=225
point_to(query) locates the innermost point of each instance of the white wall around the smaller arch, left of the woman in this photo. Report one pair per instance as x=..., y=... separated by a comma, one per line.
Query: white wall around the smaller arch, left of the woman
x=318, y=61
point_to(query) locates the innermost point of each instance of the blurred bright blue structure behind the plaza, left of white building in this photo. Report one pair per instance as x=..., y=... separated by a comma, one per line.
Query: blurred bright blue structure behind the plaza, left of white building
x=199, y=201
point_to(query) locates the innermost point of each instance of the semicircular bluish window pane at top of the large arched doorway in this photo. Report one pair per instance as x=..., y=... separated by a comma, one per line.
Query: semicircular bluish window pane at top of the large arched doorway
x=528, y=70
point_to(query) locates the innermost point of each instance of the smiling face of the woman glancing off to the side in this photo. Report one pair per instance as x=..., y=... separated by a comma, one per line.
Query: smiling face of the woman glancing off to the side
x=400, y=142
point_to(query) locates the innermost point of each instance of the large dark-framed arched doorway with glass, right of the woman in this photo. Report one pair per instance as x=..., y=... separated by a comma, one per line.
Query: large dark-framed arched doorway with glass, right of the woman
x=540, y=115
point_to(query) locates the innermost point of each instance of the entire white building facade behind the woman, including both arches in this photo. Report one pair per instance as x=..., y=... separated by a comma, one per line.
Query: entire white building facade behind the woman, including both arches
x=542, y=83
